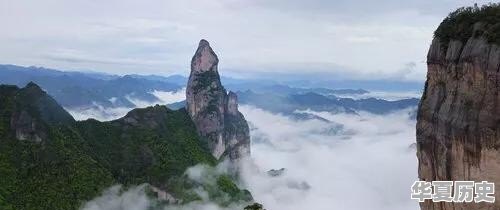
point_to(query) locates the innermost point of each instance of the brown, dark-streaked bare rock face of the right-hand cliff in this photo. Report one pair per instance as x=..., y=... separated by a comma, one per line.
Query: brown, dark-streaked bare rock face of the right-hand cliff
x=458, y=128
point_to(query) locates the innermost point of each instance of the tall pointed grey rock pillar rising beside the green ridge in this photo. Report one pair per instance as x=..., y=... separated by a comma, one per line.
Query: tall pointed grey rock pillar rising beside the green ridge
x=213, y=110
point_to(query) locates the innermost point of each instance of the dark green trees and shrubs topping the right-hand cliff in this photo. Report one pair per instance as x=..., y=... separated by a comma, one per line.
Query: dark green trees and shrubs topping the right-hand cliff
x=459, y=25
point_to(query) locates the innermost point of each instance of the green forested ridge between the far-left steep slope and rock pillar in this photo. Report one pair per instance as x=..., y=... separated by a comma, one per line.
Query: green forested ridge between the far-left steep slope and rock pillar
x=160, y=146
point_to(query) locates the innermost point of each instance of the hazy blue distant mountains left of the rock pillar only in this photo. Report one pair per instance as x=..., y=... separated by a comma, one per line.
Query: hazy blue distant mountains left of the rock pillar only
x=76, y=89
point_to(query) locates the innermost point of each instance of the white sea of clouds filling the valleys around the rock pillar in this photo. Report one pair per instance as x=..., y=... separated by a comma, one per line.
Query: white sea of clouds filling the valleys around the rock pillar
x=366, y=163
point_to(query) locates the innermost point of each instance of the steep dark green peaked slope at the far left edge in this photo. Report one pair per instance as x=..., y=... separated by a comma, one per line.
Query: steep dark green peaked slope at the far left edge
x=41, y=164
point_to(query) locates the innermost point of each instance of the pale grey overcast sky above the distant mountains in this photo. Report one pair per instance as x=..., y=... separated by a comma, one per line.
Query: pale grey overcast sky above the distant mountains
x=355, y=39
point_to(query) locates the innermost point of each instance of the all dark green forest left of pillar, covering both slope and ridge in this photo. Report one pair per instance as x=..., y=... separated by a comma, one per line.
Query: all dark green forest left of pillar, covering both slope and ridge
x=75, y=161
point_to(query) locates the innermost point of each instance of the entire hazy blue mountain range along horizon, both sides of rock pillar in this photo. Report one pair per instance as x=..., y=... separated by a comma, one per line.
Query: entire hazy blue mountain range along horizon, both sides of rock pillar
x=87, y=89
